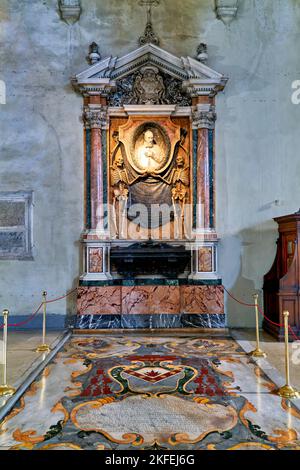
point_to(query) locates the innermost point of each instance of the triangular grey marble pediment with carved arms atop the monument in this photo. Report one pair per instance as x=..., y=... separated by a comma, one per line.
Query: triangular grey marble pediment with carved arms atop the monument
x=149, y=75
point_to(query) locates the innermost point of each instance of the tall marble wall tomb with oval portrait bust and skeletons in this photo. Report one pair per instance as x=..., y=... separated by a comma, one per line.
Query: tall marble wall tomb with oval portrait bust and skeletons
x=150, y=244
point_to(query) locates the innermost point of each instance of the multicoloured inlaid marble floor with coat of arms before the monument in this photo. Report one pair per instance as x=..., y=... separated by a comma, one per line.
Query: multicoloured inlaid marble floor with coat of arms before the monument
x=139, y=392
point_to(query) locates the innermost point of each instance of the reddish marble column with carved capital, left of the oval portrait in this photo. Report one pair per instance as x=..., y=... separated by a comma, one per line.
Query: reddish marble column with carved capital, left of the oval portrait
x=95, y=117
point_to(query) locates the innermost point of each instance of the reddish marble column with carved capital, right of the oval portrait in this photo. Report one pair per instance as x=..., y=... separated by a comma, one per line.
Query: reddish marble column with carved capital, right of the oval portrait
x=204, y=117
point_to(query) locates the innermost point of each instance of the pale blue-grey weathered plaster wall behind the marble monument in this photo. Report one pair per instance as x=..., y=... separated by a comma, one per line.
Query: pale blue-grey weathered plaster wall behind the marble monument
x=257, y=135
